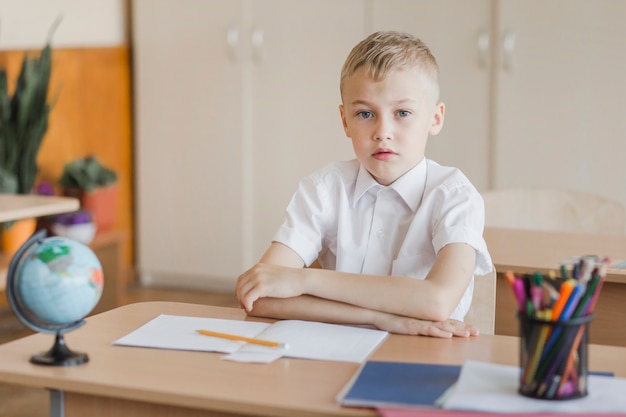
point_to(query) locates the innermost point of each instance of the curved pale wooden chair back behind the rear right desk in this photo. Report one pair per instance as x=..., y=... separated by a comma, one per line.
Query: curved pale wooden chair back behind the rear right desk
x=552, y=209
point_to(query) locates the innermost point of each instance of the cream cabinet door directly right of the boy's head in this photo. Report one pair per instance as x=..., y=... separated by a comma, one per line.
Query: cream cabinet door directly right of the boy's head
x=458, y=35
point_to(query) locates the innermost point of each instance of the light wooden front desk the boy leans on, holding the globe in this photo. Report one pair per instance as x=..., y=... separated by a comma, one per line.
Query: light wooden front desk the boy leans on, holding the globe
x=132, y=381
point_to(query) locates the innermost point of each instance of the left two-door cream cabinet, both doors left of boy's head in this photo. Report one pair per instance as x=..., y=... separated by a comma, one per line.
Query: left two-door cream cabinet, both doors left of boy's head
x=235, y=101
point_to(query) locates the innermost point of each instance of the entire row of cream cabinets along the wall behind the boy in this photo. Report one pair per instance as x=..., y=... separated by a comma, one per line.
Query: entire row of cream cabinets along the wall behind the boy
x=237, y=100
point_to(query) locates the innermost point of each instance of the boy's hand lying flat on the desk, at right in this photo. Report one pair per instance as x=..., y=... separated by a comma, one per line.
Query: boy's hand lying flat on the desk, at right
x=411, y=326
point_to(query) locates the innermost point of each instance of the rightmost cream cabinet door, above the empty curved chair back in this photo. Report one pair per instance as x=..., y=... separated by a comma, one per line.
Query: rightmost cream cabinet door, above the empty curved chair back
x=561, y=95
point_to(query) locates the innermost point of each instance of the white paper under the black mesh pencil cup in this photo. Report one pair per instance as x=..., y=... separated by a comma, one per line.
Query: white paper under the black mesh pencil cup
x=493, y=388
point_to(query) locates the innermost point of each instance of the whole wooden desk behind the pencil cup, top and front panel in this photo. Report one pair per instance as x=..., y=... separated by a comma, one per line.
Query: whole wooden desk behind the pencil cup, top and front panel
x=528, y=251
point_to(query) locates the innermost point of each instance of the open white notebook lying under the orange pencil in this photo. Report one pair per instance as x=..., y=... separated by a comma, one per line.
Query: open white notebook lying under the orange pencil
x=304, y=339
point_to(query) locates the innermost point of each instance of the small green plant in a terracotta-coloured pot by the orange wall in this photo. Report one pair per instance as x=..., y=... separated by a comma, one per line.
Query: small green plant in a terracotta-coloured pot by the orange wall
x=95, y=185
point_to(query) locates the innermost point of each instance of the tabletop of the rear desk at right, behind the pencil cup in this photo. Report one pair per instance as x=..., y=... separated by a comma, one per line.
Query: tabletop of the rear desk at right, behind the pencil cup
x=528, y=251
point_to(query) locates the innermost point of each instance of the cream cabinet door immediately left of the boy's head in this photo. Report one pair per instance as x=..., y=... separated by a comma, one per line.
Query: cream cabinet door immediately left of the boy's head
x=298, y=49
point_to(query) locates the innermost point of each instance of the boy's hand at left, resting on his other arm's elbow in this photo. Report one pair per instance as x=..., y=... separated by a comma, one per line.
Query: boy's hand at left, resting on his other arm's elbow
x=267, y=280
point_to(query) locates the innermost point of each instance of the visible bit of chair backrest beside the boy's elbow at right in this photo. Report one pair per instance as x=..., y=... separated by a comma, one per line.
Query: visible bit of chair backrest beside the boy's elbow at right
x=482, y=312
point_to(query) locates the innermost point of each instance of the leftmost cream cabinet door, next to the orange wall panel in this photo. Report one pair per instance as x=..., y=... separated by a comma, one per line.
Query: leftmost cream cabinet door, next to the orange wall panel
x=188, y=138
